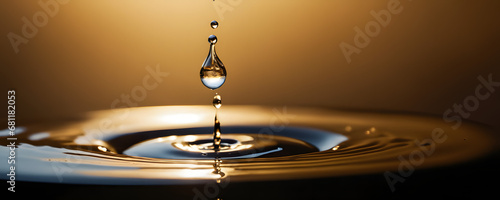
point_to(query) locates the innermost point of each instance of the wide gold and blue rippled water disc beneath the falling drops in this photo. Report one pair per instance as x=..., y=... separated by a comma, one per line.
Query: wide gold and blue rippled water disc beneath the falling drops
x=172, y=145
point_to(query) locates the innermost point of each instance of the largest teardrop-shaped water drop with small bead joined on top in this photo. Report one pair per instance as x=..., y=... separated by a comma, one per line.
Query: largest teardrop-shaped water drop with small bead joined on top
x=213, y=72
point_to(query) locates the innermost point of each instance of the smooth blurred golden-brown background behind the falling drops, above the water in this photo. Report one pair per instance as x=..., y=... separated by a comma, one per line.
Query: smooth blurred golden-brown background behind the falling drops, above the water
x=66, y=57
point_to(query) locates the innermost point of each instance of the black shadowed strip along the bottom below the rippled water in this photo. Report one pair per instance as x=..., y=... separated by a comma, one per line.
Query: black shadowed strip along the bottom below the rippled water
x=473, y=179
